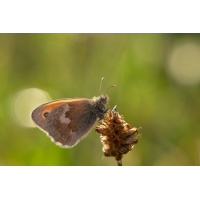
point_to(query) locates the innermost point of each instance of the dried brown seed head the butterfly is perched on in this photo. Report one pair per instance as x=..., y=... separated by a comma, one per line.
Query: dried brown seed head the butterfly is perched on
x=117, y=136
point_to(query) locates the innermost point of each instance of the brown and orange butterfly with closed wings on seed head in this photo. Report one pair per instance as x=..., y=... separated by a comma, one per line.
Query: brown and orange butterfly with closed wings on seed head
x=66, y=121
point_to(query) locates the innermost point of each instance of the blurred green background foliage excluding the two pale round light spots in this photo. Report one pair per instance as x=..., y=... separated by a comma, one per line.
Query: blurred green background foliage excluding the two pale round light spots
x=72, y=65
